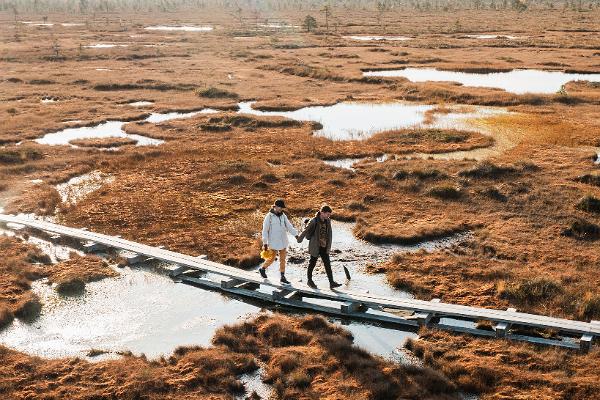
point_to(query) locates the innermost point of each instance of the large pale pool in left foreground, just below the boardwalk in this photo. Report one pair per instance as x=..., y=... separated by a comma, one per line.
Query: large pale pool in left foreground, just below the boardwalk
x=140, y=311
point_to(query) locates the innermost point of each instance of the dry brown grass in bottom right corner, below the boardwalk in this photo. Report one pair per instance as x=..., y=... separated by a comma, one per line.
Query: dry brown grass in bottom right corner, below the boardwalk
x=503, y=369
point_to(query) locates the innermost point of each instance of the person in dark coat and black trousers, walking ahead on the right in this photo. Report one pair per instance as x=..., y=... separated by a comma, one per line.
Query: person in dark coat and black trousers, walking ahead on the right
x=319, y=235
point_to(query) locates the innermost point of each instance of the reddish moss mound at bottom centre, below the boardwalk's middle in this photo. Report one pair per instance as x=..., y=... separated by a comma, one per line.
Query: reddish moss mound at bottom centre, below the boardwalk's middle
x=310, y=358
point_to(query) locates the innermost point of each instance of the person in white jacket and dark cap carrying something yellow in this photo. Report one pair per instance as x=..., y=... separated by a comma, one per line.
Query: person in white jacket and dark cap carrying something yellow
x=276, y=225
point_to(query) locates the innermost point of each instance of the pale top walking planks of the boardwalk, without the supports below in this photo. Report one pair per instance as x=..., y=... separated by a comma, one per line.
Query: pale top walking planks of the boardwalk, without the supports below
x=370, y=300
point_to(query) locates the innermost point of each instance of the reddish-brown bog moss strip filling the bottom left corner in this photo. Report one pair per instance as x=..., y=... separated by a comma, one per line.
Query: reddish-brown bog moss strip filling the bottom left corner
x=190, y=373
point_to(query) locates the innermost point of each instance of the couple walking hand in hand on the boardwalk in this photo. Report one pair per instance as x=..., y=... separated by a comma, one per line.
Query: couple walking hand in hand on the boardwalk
x=276, y=225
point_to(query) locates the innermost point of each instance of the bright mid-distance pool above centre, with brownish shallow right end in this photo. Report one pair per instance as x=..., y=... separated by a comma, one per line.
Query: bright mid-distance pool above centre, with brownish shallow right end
x=359, y=121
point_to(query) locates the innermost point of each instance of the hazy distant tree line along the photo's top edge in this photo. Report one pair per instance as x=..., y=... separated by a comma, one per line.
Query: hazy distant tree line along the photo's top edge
x=380, y=6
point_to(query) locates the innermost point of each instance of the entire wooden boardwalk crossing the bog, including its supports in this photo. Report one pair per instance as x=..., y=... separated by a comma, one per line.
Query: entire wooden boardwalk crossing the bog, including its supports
x=509, y=324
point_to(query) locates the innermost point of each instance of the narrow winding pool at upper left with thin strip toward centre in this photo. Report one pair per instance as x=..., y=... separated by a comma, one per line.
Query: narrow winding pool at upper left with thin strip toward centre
x=110, y=129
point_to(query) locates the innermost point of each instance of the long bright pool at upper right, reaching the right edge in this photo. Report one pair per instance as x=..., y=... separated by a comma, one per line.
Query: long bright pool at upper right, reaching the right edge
x=517, y=81
